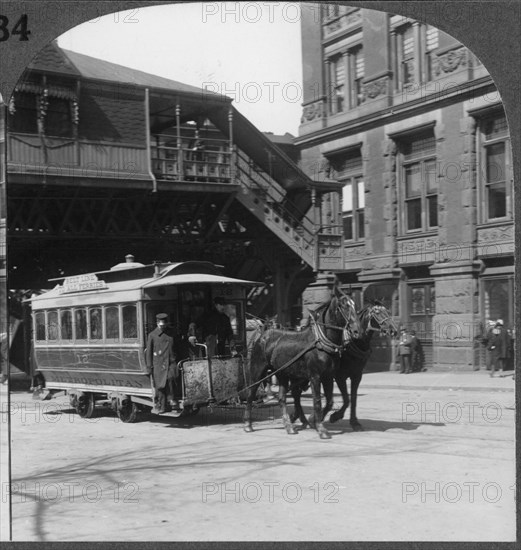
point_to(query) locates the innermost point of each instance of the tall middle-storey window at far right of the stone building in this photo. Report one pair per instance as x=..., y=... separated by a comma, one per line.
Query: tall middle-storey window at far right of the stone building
x=495, y=169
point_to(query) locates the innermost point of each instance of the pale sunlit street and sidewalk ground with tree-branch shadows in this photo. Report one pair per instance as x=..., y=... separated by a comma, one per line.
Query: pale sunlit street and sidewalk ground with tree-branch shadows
x=435, y=462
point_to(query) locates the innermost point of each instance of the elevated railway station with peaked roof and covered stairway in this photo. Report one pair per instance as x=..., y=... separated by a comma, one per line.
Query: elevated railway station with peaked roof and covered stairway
x=103, y=160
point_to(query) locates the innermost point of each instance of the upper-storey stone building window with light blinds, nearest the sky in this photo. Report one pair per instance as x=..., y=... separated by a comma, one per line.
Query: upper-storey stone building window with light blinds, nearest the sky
x=346, y=72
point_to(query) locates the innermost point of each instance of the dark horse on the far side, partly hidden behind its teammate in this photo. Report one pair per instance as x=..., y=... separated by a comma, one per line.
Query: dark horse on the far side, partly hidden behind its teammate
x=374, y=317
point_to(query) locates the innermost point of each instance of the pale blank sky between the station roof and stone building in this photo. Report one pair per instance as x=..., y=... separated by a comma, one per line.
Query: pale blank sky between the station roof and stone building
x=248, y=51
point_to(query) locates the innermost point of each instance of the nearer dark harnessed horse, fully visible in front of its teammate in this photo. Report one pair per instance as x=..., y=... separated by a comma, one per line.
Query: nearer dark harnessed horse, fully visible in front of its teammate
x=299, y=357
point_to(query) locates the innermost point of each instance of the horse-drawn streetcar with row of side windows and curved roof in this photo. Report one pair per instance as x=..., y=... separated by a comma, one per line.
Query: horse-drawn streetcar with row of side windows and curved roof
x=90, y=334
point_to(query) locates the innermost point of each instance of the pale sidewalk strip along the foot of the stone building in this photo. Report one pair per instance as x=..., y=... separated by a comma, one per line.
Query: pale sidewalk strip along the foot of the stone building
x=466, y=381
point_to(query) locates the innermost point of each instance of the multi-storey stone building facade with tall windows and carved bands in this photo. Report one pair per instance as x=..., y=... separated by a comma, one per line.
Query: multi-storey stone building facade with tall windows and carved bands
x=411, y=123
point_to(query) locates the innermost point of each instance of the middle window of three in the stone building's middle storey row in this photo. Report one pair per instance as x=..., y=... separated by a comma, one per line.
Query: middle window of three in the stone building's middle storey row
x=419, y=182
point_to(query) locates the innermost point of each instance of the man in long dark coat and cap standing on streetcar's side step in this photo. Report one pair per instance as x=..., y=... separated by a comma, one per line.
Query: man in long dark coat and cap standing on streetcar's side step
x=160, y=363
